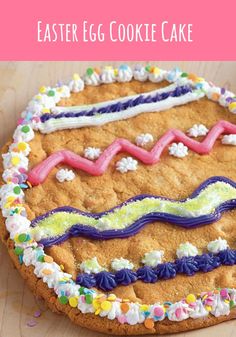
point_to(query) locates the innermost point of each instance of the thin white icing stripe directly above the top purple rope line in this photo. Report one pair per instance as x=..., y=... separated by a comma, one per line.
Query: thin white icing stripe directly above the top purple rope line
x=79, y=108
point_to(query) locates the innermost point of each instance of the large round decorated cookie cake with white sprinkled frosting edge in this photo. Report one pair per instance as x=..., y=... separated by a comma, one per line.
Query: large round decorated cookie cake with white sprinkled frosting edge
x=118, y=199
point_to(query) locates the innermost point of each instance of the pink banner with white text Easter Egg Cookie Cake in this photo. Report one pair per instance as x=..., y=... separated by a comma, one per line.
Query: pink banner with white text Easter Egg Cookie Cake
x=118, y=30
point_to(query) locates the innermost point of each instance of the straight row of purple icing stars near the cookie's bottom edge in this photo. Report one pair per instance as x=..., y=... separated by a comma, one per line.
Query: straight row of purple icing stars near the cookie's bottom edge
x=206, y=262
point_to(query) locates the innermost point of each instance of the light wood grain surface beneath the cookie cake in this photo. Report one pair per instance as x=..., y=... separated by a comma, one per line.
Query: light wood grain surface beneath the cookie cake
x=19, y=81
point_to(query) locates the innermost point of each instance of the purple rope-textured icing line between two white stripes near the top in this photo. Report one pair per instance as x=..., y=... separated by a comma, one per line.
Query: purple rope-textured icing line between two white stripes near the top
x=116, y=107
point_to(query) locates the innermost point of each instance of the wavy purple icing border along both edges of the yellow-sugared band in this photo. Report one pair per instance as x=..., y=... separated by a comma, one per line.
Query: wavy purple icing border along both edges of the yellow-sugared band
x=186, y=222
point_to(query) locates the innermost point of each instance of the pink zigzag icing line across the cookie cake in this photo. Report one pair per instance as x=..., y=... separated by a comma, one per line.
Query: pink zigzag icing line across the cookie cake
x=40, y=172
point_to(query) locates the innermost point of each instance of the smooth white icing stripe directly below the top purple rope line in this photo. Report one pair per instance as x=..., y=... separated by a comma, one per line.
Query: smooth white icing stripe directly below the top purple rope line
x=63, y=123
